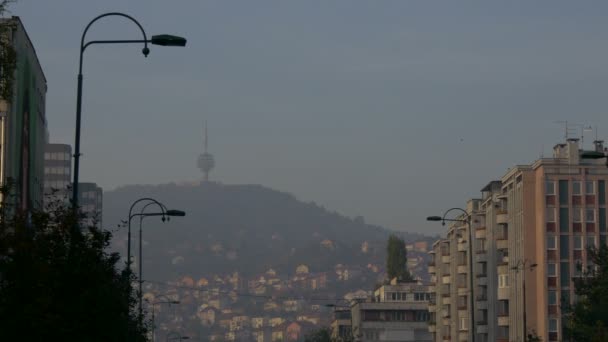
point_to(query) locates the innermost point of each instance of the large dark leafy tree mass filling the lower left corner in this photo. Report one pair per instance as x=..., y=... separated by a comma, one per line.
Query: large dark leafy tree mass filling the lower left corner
x=58, y=283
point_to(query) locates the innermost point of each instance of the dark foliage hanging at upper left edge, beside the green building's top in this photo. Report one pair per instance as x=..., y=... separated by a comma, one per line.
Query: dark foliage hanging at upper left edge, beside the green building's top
x=8, y=57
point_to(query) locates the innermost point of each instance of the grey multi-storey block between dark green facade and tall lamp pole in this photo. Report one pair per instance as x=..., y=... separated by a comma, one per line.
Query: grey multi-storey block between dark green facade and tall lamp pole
x=57, y=172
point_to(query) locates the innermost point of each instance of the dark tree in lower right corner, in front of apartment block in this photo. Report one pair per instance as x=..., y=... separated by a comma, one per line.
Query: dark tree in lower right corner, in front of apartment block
x=587, y=319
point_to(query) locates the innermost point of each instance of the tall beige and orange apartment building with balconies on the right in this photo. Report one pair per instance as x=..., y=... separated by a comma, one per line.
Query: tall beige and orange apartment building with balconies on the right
x=531, y=230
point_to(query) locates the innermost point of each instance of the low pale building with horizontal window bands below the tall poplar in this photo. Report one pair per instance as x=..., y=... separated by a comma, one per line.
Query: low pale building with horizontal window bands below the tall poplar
x=396, y=312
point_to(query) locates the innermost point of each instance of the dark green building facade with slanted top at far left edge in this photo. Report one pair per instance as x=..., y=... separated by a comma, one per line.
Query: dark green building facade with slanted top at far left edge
x=23, y=125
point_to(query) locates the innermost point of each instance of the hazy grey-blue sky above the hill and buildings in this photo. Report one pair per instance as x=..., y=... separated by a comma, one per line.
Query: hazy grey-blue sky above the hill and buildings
x=393, y=110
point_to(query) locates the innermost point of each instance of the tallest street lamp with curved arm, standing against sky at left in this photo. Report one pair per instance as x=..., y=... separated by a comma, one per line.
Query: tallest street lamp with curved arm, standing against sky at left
x=162, y=40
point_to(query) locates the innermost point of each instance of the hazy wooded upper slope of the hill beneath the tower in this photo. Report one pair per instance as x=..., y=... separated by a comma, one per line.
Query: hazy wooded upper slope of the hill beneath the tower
x=244, y=228
